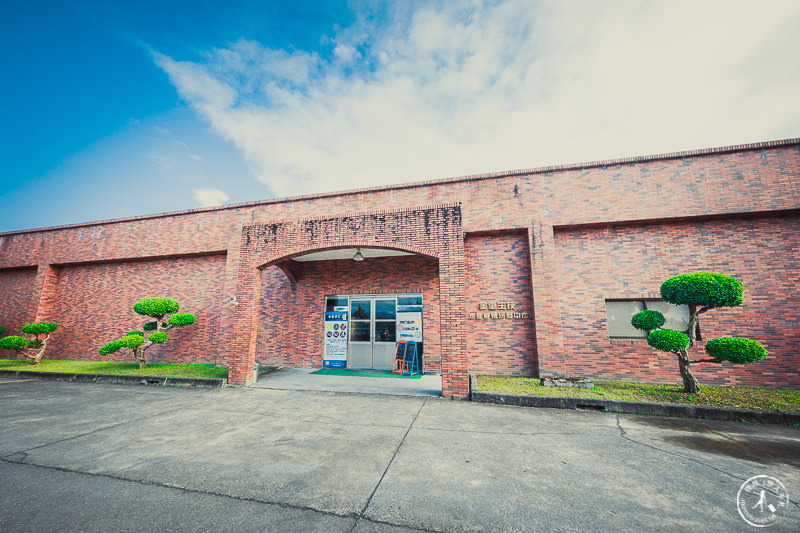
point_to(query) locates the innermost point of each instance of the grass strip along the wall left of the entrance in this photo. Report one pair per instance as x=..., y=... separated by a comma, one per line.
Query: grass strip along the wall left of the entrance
x=115, y=367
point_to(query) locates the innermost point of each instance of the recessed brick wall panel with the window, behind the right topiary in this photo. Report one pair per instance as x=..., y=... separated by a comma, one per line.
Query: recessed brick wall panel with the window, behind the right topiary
x=595, y=264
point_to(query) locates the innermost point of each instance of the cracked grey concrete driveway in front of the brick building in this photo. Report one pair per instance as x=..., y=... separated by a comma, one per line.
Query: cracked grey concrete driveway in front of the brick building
x=92, y=457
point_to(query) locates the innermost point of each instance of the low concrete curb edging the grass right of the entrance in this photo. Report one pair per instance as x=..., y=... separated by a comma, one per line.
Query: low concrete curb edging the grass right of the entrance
x=789, y=418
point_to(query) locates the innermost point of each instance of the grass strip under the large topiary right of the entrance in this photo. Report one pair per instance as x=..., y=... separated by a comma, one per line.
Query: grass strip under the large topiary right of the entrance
x=738, y=397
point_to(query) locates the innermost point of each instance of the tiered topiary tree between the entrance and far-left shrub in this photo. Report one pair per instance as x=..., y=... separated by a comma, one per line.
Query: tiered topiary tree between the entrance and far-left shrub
x=165, y=313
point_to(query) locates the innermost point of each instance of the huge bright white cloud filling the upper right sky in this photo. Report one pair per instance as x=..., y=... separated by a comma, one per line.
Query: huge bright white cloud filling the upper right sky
x=455, y=88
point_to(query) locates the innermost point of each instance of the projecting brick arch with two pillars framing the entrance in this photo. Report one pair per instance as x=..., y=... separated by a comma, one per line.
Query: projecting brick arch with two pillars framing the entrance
x=433, y=231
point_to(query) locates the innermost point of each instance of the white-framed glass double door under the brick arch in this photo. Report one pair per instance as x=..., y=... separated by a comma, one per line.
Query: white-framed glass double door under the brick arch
x=373, y=332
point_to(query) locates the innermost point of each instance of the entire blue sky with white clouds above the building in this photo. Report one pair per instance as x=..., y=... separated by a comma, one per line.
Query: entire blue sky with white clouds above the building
x=114, y=109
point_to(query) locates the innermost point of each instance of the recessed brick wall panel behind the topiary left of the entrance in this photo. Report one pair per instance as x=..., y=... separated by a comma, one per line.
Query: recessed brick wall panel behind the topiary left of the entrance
x=95, y=306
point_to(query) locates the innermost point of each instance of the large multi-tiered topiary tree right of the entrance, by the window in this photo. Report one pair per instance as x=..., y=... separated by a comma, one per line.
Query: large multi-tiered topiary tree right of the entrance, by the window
x=700, y=292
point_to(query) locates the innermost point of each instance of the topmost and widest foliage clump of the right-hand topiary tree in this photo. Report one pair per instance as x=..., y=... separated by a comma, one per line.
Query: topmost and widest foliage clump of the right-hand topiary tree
x=709, y=289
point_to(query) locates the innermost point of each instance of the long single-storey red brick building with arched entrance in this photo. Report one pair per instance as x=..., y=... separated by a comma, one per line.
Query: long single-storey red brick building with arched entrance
x=519, y=273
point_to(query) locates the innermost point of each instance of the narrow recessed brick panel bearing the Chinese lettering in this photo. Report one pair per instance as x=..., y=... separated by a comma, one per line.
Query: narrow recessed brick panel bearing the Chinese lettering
x=498, y=270
